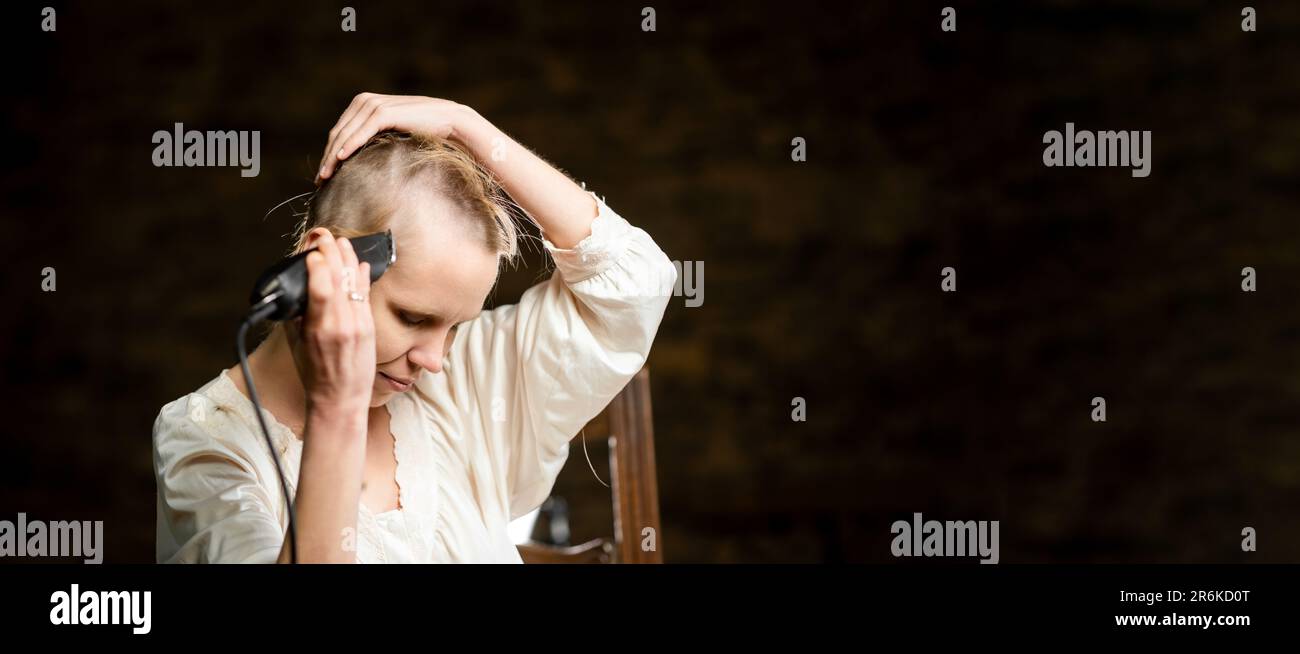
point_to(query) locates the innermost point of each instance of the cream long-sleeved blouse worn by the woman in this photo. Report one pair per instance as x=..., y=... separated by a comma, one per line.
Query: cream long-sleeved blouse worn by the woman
x=476, y=447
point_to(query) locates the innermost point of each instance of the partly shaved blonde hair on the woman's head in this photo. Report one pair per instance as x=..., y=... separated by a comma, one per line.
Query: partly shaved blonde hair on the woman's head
x=367, y=189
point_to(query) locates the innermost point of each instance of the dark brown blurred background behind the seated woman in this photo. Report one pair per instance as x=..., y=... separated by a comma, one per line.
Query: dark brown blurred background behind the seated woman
x=821, y=279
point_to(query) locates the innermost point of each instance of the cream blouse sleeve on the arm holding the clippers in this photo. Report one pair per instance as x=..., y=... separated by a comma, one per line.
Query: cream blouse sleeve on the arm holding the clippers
x=214, y=505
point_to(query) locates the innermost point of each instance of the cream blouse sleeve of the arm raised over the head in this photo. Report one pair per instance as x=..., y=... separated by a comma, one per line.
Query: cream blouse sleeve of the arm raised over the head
x=536, y=373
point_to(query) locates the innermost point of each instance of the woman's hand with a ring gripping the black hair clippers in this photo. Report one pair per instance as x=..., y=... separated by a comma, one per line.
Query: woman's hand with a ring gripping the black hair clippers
x=335, y=341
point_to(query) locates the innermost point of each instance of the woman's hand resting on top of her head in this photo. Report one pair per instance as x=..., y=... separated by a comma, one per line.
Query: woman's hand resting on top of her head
x=372, y=114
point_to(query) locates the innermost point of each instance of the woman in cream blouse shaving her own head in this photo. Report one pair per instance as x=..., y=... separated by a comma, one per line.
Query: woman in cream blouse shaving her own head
x=413, y=426
